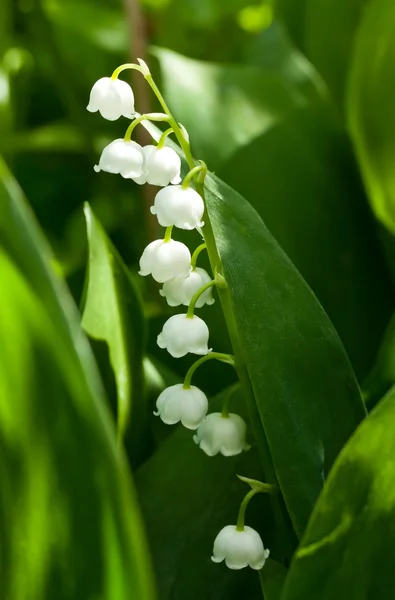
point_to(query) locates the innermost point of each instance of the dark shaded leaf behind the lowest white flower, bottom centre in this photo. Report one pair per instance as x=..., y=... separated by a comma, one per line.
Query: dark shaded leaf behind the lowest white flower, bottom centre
x=186, y=499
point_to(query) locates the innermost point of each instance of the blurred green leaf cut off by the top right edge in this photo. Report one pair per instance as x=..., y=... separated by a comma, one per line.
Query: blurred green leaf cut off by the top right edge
x=370, y=108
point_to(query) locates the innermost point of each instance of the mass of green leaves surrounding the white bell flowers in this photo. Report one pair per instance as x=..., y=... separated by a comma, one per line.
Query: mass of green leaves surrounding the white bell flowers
x=275, y=95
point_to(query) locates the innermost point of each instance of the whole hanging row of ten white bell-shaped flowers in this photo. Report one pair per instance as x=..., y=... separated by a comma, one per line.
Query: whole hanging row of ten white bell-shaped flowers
x=170, y=263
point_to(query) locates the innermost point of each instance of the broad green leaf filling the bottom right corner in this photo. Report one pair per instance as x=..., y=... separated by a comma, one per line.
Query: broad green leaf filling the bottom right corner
x=348, y=549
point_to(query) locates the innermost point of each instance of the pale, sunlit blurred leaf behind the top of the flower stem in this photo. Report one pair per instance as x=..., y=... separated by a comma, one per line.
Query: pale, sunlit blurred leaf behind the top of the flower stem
x=224, y=107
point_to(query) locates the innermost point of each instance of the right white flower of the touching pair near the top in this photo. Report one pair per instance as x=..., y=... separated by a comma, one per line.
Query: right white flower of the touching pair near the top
x=162, y=166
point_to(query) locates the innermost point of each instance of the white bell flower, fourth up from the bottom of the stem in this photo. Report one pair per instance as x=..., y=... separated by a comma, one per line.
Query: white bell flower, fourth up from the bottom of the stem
x=182, y=334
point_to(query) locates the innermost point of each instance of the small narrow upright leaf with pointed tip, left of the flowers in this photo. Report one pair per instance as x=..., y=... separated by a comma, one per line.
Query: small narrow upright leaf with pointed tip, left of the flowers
x=113, y=314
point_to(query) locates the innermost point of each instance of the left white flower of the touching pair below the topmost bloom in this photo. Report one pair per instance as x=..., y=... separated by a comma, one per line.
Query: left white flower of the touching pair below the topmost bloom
x=123, y=157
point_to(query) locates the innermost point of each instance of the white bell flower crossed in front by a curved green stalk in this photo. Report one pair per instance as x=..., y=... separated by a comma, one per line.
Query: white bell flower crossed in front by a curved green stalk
x=182, y=289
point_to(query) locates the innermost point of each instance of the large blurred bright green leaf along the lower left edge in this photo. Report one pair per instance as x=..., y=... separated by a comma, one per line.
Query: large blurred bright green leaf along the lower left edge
x=69, y=523
